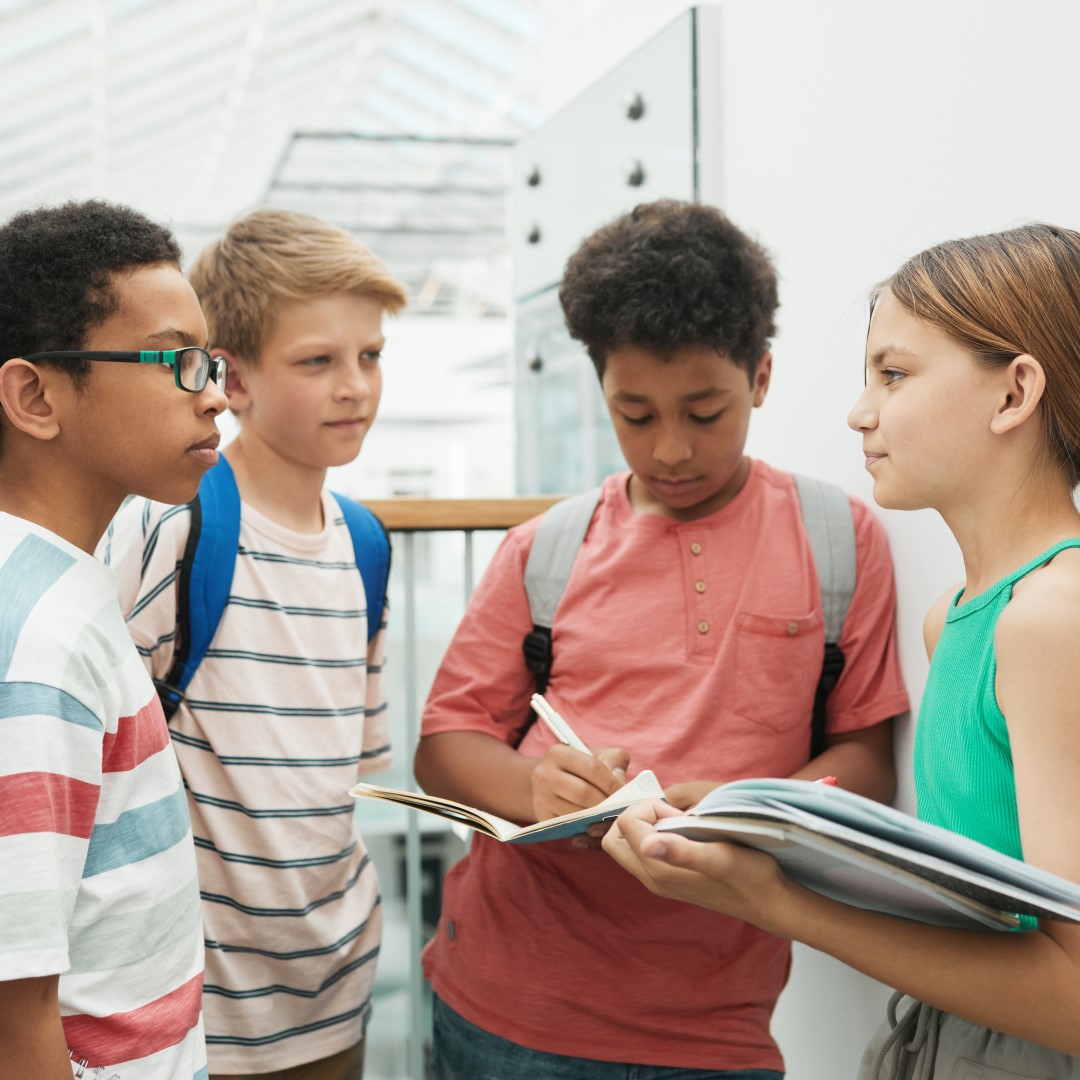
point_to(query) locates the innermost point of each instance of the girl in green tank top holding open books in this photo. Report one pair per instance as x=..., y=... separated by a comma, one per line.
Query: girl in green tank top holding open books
x=973, y=409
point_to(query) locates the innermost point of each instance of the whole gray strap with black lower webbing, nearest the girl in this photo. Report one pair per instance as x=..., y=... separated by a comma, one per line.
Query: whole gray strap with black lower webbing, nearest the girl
x=827, y=517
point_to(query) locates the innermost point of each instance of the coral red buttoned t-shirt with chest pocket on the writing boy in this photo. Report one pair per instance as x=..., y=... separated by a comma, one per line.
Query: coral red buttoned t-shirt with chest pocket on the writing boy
x=697, y=646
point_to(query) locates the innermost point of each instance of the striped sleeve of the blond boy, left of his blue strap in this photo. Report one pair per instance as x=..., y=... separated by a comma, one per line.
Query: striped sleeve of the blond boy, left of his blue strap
x=144, y=547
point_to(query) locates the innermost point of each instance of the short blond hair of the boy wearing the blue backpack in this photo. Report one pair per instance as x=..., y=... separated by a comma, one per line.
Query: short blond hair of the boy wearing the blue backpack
x=275, y=255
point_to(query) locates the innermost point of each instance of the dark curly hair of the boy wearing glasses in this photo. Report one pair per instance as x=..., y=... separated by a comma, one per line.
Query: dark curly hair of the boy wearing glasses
x=57, y=265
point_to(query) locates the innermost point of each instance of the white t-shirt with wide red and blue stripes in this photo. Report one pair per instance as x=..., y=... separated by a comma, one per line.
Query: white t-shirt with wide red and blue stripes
x=98, y=870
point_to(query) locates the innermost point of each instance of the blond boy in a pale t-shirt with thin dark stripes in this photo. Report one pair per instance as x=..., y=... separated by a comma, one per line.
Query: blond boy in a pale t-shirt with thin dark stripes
x=289, y=705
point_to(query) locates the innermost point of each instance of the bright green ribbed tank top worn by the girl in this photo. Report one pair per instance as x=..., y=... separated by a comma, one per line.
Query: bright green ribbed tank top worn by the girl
x=964, y=774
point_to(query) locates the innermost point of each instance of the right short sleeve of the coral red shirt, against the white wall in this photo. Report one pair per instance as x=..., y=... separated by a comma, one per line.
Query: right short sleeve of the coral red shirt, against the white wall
x=871, y=688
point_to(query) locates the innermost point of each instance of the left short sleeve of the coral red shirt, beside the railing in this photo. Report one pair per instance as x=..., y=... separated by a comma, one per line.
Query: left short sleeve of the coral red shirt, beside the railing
x=483, y=684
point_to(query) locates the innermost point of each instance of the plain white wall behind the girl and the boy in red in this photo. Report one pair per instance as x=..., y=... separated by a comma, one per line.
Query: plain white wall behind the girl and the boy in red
x=856, y=133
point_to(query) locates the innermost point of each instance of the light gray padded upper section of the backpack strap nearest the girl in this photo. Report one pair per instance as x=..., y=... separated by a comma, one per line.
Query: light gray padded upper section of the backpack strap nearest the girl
x=827, y=516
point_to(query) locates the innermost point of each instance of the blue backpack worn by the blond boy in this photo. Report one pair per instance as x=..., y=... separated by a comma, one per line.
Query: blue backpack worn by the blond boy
x=210, y=558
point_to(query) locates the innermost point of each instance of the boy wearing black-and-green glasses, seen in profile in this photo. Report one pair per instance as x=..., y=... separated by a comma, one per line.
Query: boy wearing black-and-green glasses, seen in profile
x=101, y=948
